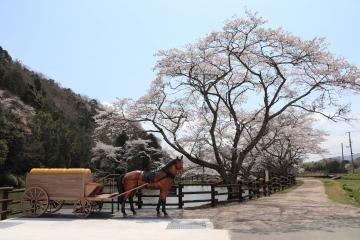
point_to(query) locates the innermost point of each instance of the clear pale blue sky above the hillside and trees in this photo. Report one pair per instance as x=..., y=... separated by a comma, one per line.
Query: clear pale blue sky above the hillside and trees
x=105, y=49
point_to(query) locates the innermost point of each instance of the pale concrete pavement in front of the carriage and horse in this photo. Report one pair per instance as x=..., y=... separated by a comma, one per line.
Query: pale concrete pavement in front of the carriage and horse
x=109, y=229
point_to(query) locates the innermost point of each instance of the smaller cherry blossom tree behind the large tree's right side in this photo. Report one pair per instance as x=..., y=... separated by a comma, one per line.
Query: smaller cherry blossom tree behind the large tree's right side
x=290, y=139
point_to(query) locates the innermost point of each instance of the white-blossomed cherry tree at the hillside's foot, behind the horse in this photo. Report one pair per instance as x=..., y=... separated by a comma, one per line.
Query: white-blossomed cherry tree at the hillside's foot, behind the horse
x=121, y=146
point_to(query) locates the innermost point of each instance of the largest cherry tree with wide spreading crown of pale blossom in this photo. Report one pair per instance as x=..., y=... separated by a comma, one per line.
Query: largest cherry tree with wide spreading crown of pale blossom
x=210, y=96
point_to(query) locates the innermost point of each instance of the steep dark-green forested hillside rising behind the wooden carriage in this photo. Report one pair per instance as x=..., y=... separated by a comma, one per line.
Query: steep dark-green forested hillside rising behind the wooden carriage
x=41, y=123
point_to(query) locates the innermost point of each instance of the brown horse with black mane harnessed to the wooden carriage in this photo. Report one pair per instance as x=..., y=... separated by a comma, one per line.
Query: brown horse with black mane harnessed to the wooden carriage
x=161, y=179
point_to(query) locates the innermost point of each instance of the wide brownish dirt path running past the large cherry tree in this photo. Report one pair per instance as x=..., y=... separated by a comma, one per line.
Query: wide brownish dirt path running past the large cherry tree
x=304, y=213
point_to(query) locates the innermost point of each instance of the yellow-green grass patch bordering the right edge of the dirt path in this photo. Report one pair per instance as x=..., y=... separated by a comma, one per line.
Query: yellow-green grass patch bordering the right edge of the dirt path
x=335, y=192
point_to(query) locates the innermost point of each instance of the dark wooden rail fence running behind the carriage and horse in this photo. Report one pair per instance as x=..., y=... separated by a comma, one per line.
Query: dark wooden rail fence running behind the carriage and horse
x=253, y=189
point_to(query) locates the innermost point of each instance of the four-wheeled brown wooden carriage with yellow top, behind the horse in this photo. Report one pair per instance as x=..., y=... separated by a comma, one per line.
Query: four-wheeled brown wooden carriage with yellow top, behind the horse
x=47, y=189
